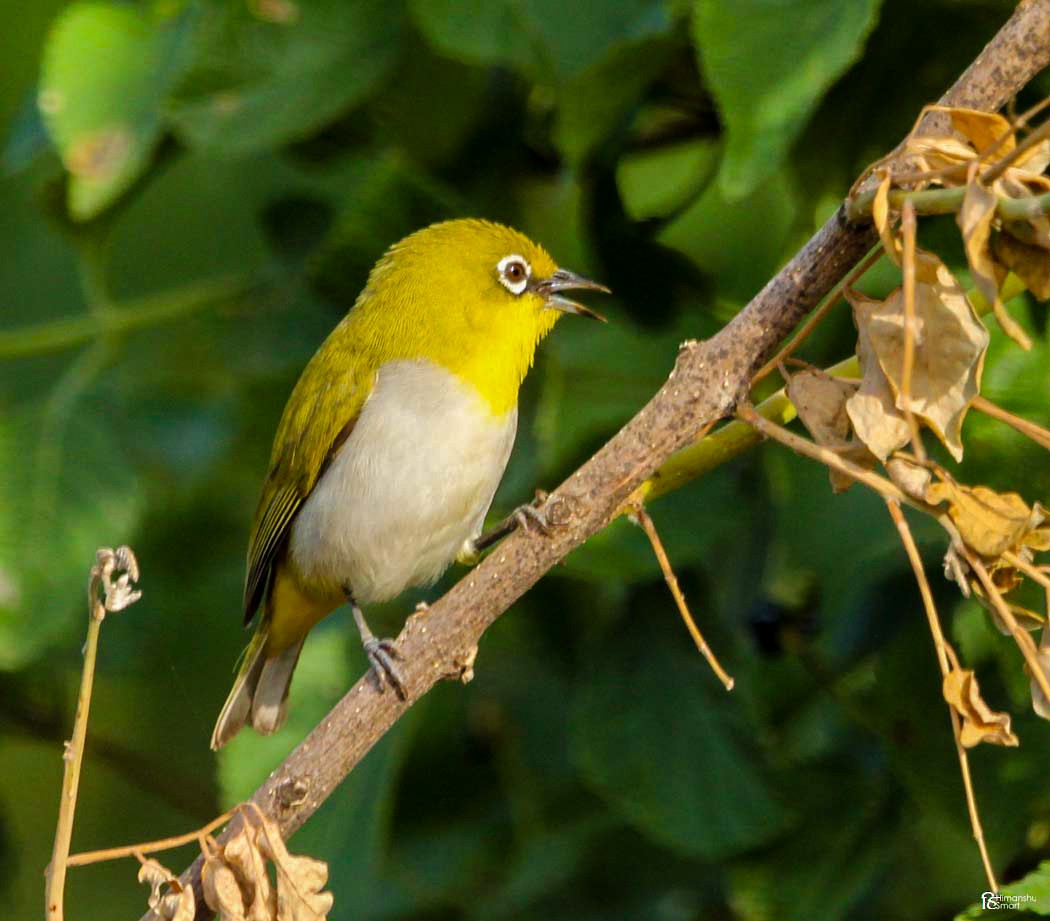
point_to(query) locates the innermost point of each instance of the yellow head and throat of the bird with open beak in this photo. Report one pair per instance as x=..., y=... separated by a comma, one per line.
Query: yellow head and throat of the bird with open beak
x=473, y=297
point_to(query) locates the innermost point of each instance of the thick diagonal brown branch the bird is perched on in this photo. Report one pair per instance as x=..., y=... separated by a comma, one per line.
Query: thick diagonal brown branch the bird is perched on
x=707, y=382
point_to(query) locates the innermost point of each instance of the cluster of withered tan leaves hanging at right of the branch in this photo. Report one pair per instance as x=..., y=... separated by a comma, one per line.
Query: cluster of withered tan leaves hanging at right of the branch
x=921, y=352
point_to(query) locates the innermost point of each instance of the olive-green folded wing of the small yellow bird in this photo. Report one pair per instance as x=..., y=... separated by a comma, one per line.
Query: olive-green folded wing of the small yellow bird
x=320, y=416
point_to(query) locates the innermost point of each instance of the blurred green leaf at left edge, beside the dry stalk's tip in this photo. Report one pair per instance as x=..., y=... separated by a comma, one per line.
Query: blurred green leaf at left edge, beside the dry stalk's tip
x=66, y=492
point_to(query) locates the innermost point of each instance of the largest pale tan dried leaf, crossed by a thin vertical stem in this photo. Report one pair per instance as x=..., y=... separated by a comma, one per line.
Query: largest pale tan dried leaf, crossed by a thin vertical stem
x=950, y=349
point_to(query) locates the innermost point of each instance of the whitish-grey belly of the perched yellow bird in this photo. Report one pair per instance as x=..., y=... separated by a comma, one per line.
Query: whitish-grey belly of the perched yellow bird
x=412, y=483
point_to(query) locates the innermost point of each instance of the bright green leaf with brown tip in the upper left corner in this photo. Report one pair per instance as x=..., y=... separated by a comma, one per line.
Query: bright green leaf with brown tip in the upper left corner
x=107, y=68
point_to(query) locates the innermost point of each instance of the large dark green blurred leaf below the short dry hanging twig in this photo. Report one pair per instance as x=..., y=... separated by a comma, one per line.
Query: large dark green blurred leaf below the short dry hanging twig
x=658, y=738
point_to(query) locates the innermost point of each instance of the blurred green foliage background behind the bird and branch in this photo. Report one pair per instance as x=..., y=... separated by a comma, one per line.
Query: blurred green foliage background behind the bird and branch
x=238, y=166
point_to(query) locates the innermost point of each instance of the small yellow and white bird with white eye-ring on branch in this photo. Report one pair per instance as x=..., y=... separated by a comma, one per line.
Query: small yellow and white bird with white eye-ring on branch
x=392, y=446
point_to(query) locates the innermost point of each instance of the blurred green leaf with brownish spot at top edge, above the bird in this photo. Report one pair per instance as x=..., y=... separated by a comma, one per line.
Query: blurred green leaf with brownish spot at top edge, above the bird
x=258, y=82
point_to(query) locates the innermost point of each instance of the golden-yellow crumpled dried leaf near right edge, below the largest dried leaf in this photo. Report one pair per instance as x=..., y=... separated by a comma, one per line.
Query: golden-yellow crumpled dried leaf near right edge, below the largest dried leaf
x=989, y=522
